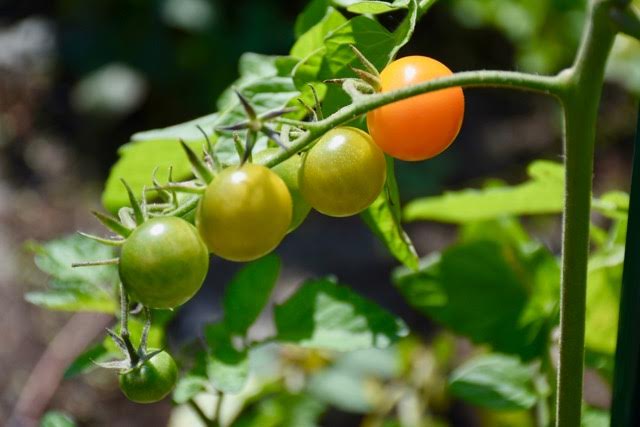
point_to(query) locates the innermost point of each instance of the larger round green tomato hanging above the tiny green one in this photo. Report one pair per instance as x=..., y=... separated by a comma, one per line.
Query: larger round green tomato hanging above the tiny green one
x=164, y=262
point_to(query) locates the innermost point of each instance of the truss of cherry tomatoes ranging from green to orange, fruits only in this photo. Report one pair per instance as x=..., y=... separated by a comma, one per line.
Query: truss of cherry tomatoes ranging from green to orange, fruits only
x=246, y=210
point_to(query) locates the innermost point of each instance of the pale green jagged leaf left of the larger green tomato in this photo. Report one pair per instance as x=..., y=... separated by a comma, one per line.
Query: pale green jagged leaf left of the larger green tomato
x=75, y=289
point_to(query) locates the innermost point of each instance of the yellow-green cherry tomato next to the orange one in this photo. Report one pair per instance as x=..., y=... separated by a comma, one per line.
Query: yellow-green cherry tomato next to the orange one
x=343, y=173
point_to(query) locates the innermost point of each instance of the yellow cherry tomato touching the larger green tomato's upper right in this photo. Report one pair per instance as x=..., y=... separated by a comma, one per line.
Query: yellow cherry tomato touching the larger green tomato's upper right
x=244, y=213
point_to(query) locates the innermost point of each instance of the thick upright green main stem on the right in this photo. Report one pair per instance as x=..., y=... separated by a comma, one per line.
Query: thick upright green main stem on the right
x=580, y=102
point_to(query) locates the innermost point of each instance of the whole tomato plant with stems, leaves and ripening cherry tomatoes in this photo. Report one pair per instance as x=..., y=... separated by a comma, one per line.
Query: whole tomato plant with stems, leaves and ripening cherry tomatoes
x=280, y=144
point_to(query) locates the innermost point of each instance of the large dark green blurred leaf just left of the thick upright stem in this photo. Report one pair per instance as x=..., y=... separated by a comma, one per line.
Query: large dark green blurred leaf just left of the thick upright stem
x=490, y=291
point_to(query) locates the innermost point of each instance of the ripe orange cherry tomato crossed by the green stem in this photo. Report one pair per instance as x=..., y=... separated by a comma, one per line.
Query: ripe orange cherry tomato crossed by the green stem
x=420, y=127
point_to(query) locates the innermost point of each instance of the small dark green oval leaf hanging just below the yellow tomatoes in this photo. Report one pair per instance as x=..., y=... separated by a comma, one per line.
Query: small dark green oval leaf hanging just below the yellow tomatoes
x=248, y=293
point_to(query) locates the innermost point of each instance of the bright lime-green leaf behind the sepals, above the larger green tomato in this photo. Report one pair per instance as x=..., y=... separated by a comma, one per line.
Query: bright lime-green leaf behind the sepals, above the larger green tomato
x=138, y=160
